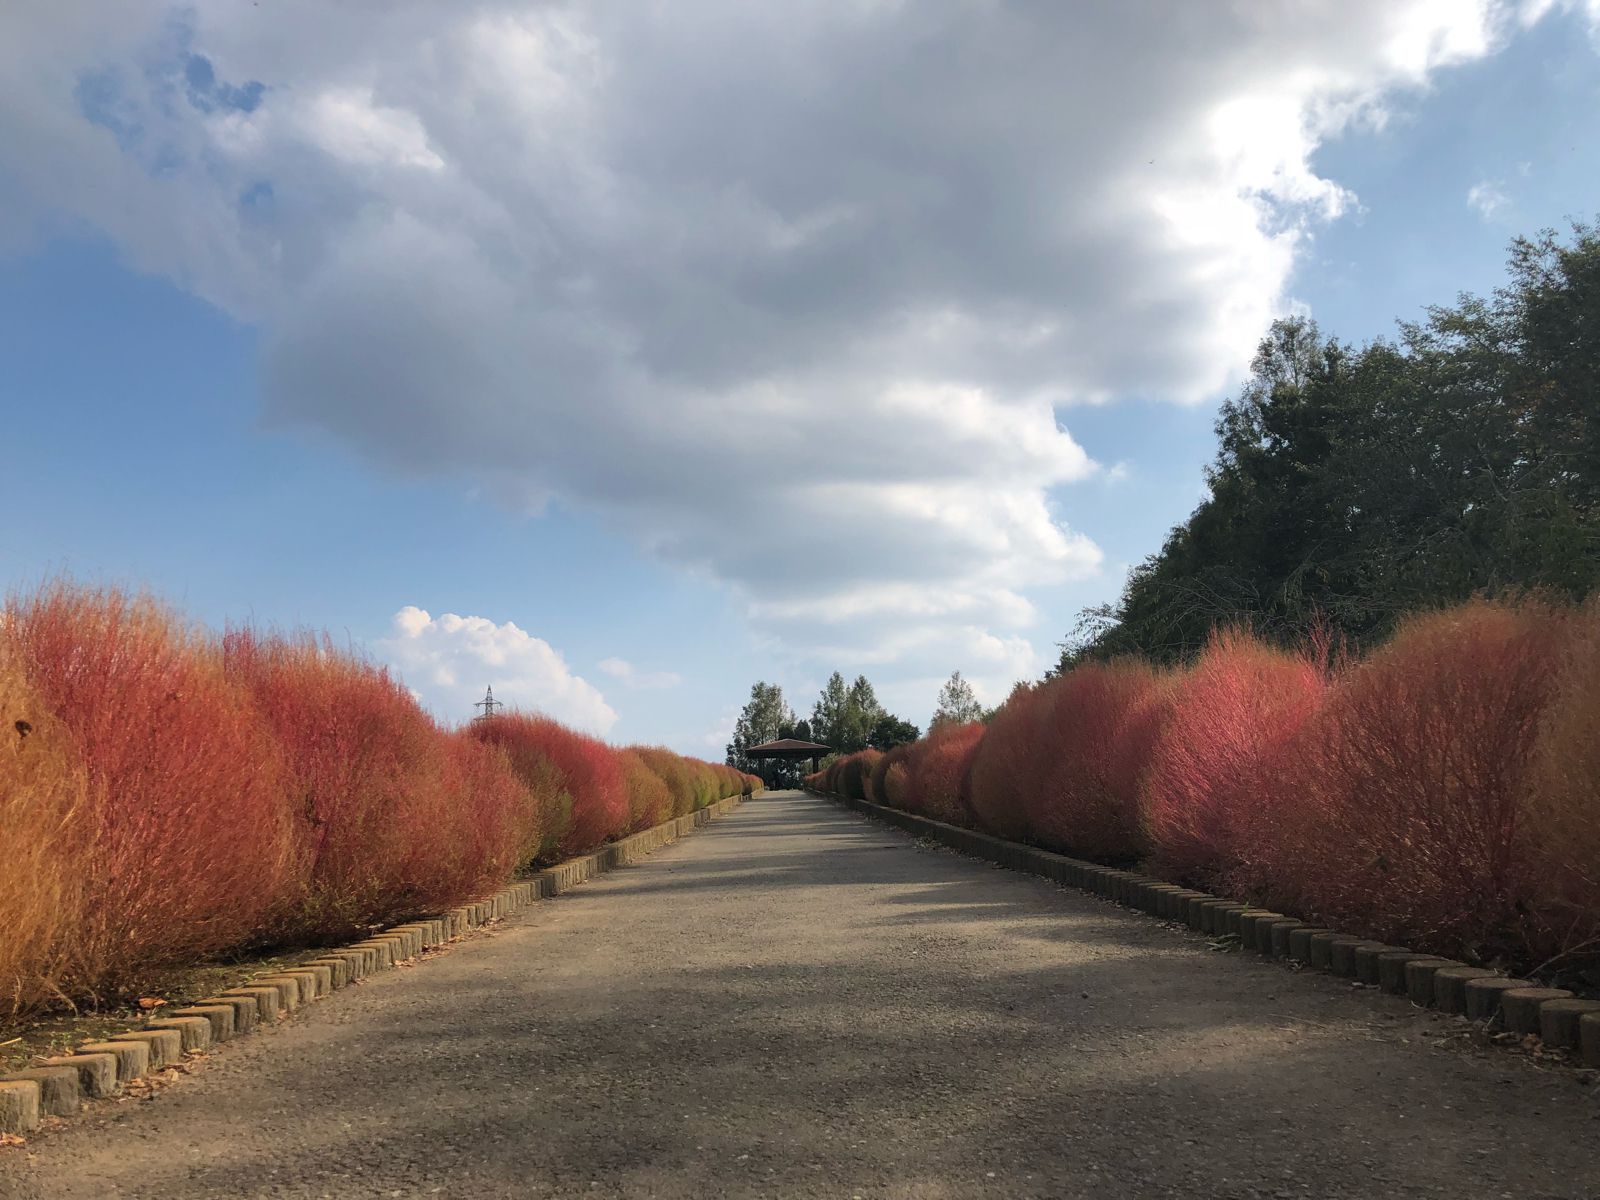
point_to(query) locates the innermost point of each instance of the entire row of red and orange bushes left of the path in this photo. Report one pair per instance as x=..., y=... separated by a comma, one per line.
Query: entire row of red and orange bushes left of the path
x=169, y=796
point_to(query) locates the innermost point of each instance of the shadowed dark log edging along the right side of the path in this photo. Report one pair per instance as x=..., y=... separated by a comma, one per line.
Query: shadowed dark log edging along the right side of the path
x=1516, y=1006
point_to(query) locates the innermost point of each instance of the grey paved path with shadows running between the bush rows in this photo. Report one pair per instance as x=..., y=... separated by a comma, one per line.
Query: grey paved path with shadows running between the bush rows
x=798, y=1002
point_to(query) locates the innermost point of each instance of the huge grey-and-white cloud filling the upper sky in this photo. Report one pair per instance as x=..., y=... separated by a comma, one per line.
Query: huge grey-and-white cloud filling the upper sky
x=790, y=294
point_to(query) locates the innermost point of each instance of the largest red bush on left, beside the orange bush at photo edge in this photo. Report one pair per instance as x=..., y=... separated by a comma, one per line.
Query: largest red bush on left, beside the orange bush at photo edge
x=185, y=838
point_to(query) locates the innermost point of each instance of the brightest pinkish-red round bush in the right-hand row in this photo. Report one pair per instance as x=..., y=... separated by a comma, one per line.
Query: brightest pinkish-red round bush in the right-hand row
x=1215, y=777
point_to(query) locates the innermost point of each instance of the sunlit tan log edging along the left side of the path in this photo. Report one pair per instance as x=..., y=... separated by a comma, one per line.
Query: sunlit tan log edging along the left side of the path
x=60, y=1086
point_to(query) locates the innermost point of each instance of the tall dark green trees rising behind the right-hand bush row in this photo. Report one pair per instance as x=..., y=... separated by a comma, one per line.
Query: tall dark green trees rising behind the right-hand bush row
x=1354, y=486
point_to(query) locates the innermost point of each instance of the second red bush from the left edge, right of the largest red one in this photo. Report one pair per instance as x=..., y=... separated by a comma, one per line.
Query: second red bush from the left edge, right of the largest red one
x=367, y=772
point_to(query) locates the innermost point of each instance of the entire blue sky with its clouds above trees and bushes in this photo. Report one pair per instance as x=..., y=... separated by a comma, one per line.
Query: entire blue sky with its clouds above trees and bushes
x=622, y=354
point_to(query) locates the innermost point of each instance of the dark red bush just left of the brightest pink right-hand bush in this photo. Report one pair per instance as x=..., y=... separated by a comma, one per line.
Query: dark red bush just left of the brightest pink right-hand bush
x=1095, y=737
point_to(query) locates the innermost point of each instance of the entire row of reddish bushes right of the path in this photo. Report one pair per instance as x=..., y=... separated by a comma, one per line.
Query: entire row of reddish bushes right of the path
x=1441, y=793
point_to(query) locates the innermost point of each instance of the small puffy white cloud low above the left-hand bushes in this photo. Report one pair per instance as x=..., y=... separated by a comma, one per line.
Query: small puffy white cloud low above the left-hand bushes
x=450, y=660
